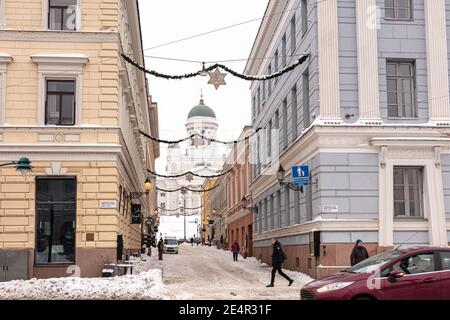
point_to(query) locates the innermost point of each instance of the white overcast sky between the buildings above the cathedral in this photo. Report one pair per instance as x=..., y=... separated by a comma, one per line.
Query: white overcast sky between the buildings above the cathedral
x=169, y=20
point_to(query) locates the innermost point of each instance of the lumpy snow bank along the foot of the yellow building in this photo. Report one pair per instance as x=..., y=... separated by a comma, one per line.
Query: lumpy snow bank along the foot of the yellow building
x=145, y=285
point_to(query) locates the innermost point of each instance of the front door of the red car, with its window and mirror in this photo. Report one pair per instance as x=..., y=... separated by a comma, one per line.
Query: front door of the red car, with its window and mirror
x=420, y=280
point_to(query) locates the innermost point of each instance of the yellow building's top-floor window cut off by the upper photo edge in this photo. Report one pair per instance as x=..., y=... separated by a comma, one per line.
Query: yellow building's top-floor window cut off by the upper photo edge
x=62, y=15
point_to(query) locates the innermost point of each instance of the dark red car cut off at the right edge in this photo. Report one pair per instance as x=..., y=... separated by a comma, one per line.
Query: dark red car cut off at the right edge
x=401, y=274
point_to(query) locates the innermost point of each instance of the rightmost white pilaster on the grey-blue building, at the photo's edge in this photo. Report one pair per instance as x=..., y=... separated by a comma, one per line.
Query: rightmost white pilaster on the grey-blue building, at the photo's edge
x=437, y=63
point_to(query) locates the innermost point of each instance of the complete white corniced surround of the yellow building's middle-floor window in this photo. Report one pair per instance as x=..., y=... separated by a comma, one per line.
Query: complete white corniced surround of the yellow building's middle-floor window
x=60, y=67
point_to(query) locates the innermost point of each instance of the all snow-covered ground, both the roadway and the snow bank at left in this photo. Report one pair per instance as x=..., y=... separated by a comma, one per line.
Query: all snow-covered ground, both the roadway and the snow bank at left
x=195, y=273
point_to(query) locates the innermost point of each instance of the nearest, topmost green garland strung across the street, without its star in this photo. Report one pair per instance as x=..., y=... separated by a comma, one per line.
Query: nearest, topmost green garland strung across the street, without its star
x=213, y=67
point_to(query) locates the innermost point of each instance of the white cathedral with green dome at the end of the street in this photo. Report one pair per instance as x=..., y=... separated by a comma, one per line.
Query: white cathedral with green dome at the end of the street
x=203, y=158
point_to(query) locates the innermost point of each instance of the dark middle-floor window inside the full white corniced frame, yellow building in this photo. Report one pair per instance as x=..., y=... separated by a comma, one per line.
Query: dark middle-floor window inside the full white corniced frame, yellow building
x=60, y=102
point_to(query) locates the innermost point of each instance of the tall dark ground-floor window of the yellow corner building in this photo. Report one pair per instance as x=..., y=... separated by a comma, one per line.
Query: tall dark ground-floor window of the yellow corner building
x=55, y=220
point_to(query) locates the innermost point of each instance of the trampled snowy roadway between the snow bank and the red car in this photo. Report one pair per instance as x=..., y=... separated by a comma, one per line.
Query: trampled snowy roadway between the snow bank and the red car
x=208, y=273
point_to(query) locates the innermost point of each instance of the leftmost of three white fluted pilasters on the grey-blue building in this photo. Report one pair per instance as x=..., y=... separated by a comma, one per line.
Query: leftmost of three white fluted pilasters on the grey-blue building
x=328, y=44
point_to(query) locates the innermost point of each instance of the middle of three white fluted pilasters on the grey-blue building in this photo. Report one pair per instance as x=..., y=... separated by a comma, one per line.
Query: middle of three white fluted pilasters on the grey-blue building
x=367, y=44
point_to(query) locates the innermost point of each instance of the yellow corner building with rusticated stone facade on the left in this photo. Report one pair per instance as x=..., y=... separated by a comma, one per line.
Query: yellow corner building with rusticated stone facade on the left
x=71, y=105
